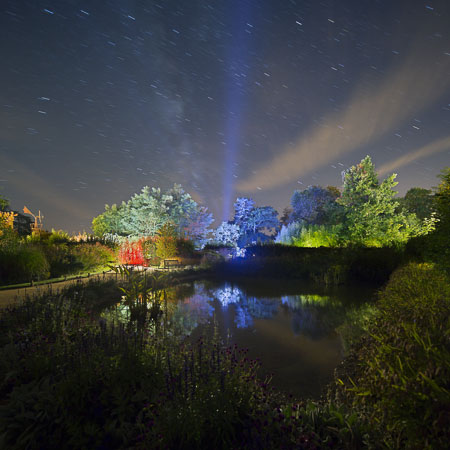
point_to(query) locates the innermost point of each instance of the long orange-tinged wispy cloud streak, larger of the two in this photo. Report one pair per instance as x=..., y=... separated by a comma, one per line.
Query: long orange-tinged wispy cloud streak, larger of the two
x=411, y=87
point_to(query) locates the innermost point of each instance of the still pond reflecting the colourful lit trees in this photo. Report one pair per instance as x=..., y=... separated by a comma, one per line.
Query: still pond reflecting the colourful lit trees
x=290, y=326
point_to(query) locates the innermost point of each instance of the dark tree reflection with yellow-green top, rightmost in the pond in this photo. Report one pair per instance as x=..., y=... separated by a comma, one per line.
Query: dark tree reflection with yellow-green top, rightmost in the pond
x=314, y=316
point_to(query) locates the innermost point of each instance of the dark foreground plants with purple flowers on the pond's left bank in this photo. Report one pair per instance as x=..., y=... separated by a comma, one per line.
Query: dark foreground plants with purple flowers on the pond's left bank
x=72, y=380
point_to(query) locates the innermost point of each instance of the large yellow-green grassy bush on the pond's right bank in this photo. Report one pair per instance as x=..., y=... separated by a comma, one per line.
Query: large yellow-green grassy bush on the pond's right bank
x=397, y=377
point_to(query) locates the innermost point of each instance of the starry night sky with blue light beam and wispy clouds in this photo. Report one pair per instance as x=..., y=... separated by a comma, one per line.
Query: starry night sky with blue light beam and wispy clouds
x=228, y=98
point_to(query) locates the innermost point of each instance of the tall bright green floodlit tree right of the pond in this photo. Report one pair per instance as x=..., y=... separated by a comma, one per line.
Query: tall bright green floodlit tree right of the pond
x=370, y=209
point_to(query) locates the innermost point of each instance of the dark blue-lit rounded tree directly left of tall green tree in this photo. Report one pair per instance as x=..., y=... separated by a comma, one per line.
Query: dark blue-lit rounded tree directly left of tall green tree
x=315, y=205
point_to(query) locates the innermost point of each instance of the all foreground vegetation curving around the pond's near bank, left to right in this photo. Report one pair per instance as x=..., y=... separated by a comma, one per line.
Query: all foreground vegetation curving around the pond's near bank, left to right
x=70, y=378
